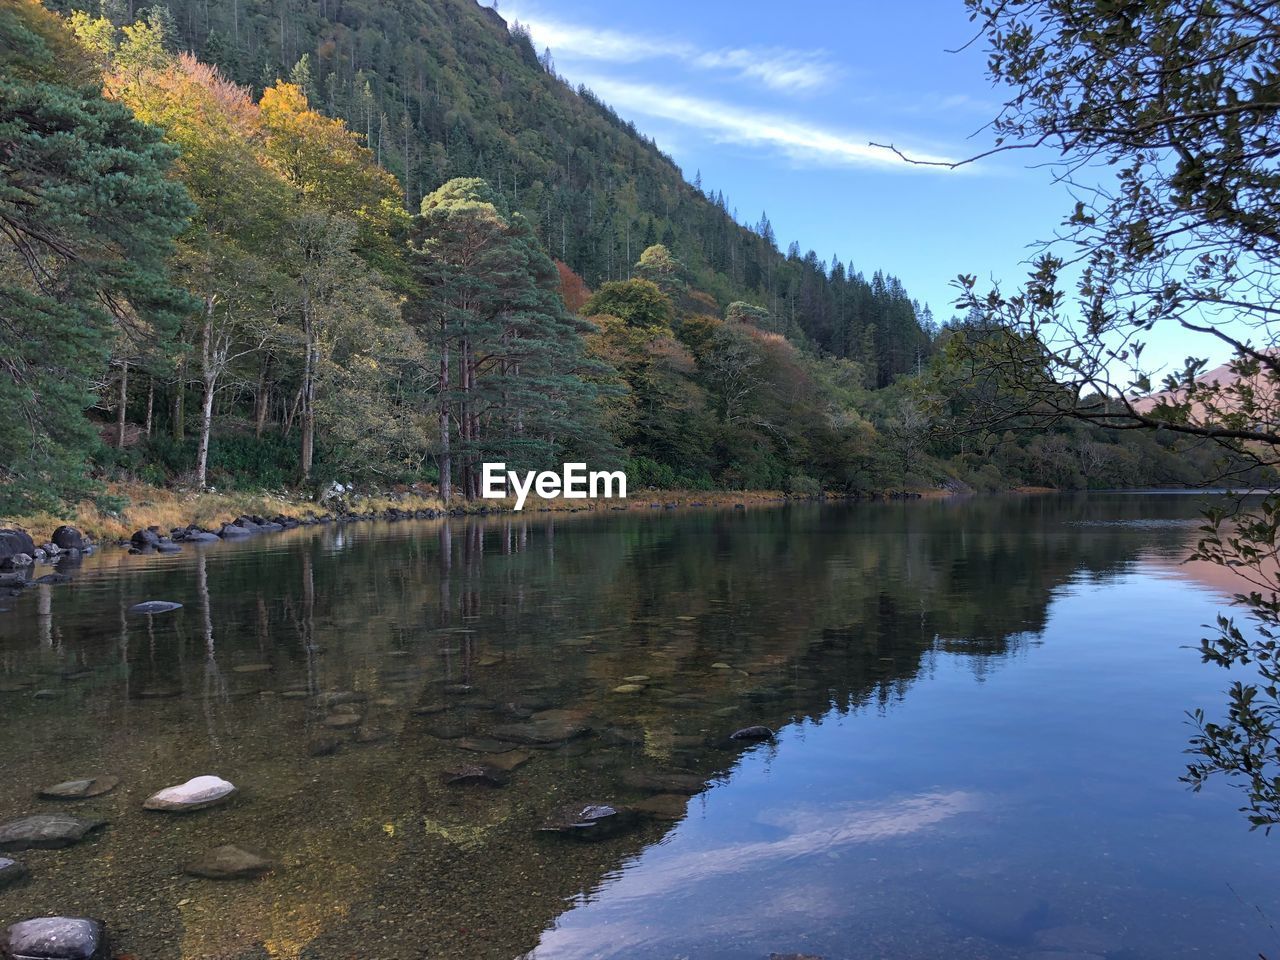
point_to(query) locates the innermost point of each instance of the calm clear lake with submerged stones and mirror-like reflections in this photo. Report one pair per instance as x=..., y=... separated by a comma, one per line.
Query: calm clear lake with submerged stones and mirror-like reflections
x=980, y=710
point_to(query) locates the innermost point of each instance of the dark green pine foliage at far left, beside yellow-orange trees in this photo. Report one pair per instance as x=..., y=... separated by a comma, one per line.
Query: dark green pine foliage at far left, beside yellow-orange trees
x=89, y=217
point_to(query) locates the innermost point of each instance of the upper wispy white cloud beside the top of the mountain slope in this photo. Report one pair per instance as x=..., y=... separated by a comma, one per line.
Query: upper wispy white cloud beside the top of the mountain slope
x=780, y=70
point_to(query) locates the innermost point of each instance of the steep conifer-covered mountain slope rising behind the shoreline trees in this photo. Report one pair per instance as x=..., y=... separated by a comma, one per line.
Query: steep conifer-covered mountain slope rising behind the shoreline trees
x=447, y=89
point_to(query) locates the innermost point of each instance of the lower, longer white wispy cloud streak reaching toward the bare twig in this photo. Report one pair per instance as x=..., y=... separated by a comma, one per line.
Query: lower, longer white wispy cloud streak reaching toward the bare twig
x=726, y=124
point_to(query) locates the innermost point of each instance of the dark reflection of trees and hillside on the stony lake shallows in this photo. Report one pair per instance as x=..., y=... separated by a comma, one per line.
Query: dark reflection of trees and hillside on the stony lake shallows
x=735, y=619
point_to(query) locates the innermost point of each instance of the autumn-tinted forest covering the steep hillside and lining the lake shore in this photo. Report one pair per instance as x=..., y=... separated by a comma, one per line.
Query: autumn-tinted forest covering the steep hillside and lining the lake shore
x=387, y=244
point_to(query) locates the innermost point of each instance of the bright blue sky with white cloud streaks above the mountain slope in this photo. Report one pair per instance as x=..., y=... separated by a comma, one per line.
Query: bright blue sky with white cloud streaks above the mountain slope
x=775, y=106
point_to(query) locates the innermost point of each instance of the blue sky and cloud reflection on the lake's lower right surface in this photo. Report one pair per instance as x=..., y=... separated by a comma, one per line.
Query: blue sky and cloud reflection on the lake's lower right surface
x=1037, y=811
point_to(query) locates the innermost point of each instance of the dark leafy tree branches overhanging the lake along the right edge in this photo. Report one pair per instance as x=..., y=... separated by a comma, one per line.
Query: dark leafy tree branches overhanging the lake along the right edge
x=1163, y=118
